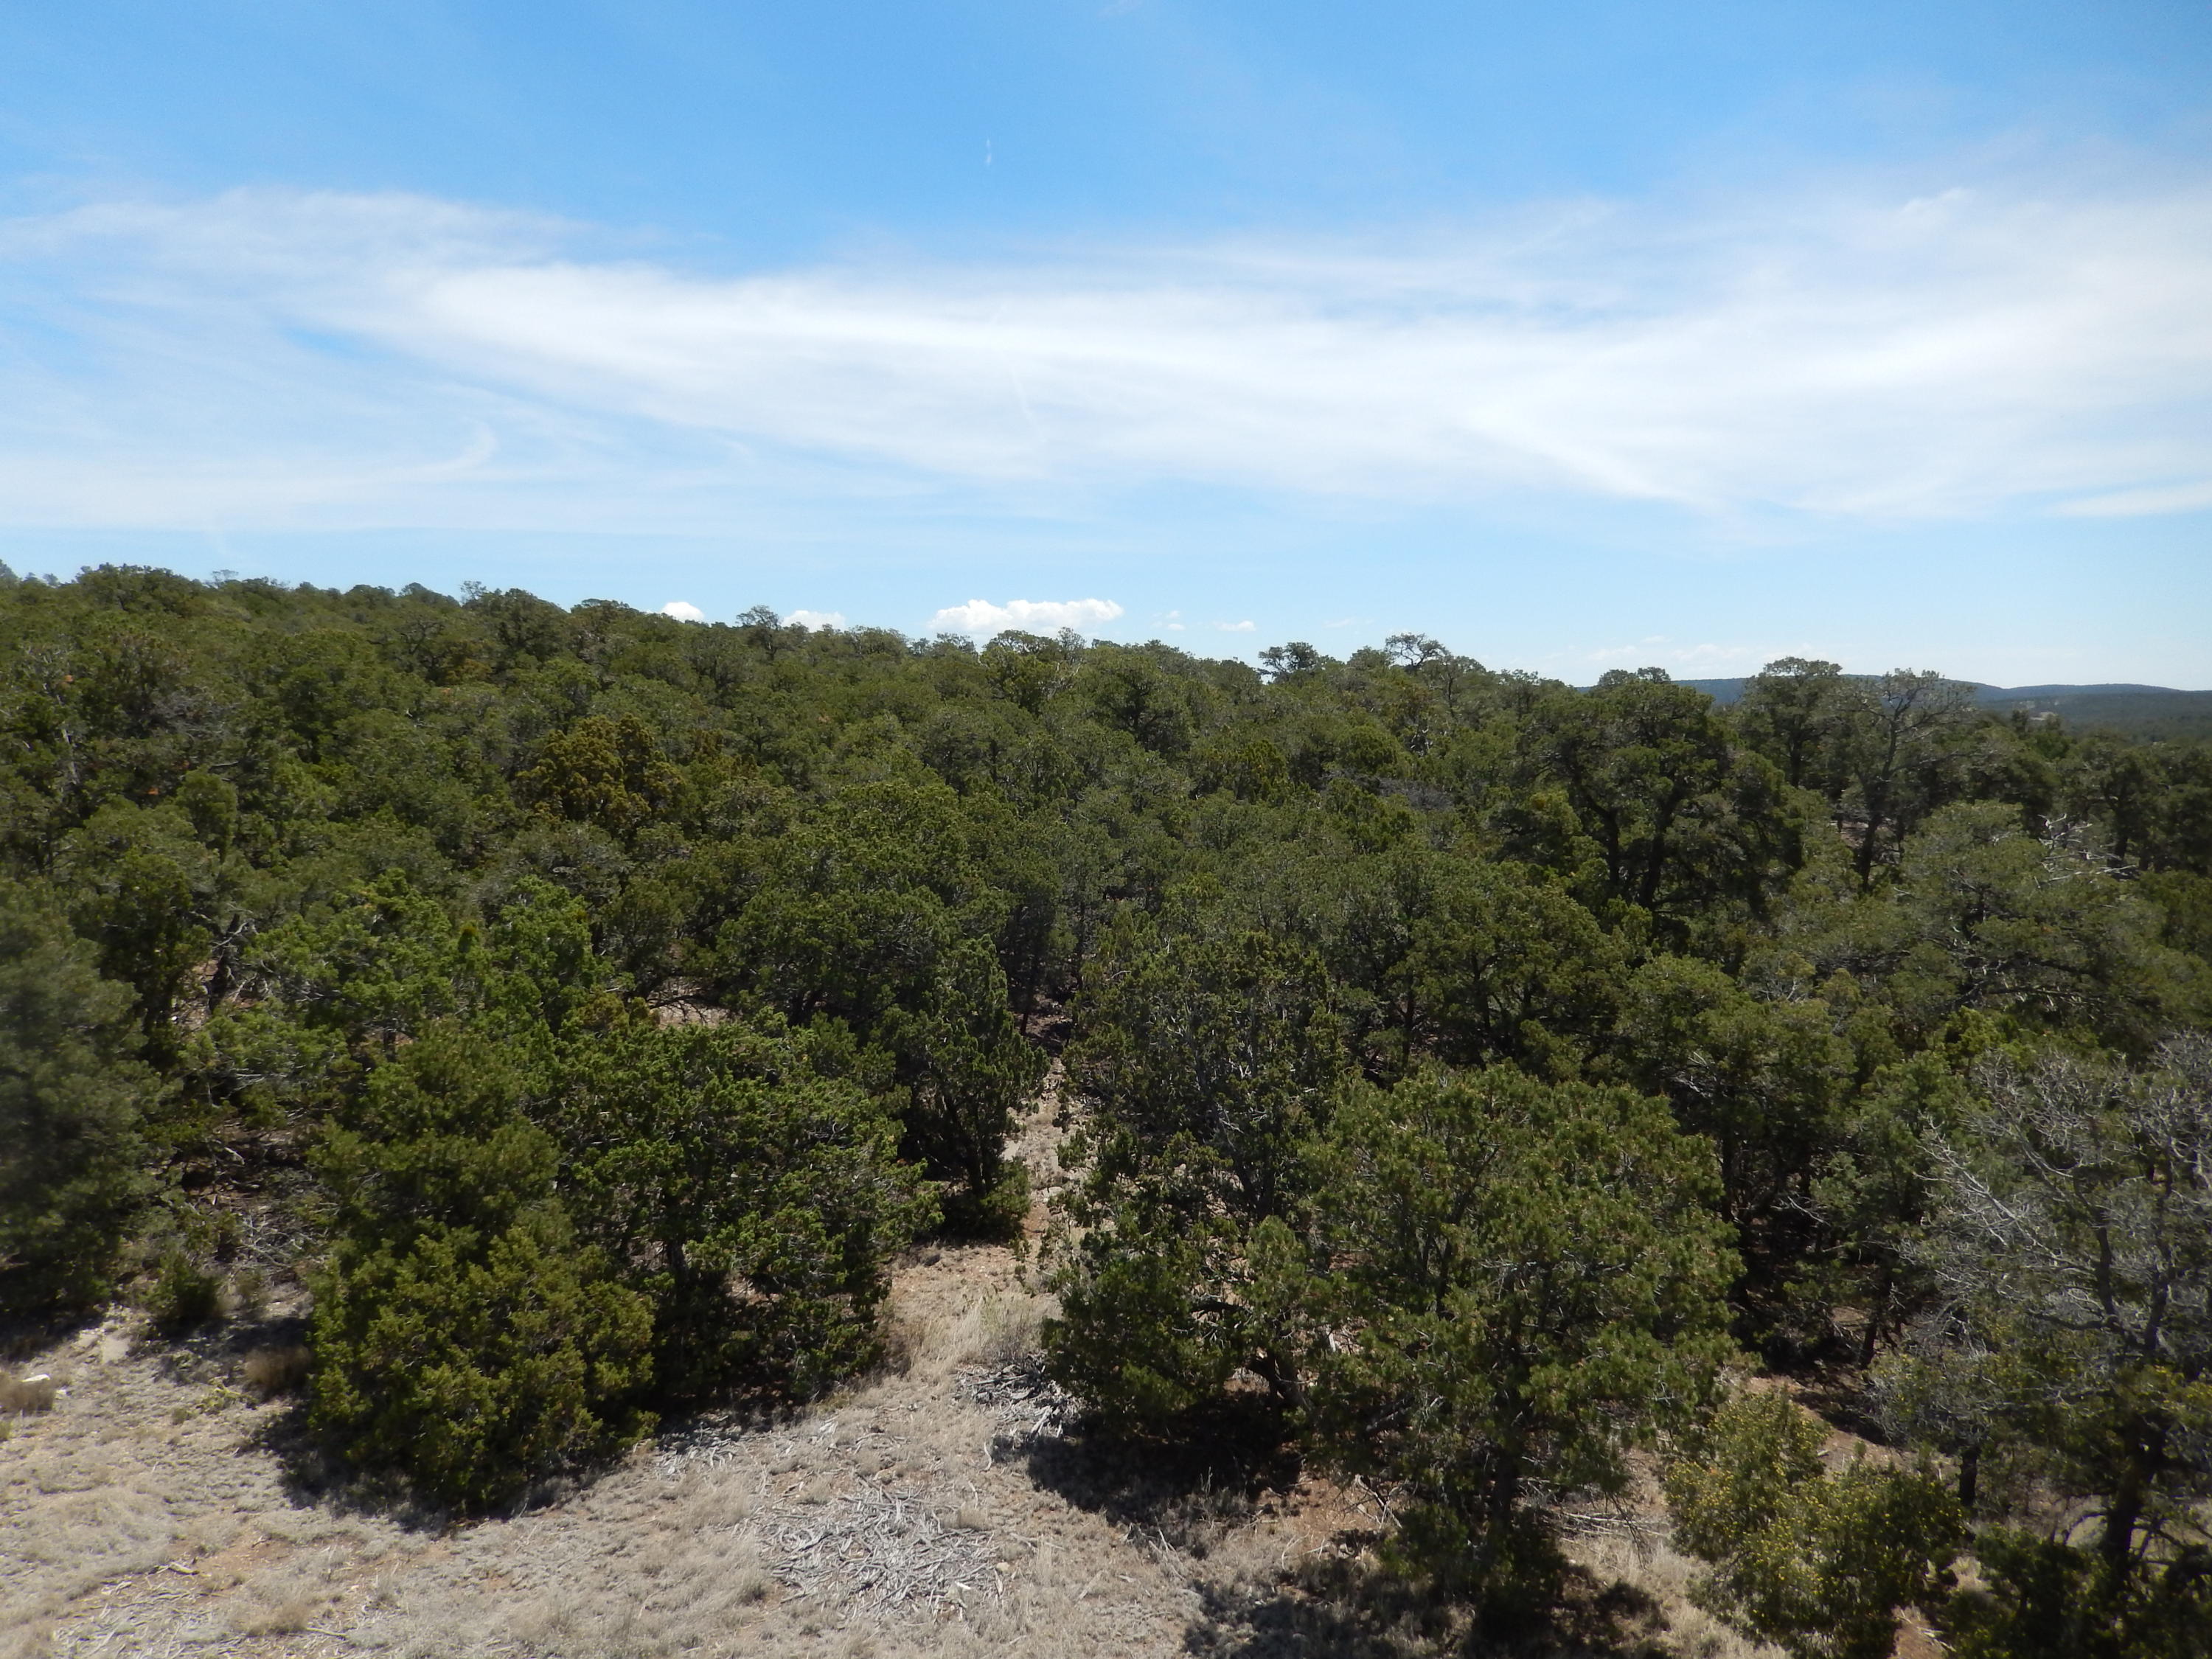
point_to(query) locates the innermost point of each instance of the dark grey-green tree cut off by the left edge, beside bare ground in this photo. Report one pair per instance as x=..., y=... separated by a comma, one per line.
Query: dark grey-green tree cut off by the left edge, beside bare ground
x=72, y=1107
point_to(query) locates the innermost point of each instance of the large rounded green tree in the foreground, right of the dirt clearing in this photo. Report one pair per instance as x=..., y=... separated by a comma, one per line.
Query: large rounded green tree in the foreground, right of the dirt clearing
x=1507, y=1286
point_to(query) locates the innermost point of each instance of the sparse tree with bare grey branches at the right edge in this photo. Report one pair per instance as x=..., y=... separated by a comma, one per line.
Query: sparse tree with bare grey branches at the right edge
x=2074, y=1337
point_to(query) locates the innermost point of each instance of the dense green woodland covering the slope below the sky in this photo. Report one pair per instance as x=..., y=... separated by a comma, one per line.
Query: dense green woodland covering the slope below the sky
x=1470, y=1078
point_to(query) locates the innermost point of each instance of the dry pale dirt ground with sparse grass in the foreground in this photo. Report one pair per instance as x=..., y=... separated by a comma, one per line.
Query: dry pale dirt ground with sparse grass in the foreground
x=948, y=1507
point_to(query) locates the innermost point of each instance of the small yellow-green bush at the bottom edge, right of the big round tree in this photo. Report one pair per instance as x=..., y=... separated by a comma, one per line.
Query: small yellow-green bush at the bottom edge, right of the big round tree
x=1815, y=1563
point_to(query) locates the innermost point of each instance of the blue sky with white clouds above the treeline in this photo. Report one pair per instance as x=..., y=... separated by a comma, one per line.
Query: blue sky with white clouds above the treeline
x=1578, y=335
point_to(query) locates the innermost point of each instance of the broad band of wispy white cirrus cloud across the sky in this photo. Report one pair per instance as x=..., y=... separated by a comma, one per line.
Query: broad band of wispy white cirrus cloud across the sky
x=324, y=359
